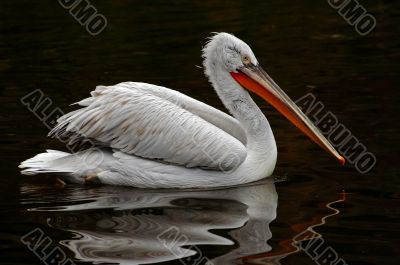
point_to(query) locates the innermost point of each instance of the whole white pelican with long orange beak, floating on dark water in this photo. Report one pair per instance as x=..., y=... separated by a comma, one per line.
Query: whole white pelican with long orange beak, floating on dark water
x=150, y=136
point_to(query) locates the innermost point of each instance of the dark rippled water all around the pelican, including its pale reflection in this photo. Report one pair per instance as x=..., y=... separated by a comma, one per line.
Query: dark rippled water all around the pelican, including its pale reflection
x=304, y=45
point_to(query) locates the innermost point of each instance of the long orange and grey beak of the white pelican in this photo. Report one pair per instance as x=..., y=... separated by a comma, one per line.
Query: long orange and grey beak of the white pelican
x=255, y=79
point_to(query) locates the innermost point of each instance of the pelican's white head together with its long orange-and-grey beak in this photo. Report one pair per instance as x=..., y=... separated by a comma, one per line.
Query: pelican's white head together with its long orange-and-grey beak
x=224, y=53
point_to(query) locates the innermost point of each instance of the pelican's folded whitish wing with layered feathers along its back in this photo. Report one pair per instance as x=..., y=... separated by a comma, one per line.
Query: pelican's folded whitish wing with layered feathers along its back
x=157, y=123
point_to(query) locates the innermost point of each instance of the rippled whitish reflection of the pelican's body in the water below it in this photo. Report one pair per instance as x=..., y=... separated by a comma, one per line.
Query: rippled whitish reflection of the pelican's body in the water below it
x=136, y=226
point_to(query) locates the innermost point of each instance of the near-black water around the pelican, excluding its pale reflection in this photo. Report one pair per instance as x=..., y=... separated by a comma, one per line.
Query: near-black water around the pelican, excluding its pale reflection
x=304, y=45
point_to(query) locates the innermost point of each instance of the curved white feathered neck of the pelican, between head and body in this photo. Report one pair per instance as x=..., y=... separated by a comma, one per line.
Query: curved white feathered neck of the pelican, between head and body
x=239, y=103
